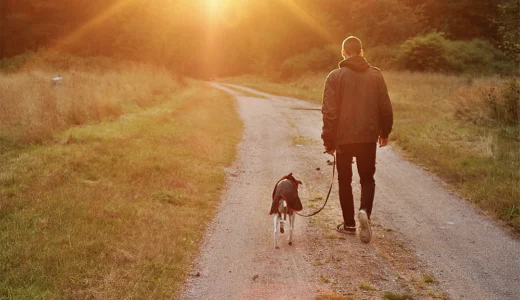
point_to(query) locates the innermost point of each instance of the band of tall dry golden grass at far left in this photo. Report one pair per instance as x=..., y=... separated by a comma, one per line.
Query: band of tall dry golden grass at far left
x=33, y=108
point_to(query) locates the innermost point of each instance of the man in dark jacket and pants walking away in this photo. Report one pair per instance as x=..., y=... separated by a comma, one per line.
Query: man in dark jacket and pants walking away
x=357, y=114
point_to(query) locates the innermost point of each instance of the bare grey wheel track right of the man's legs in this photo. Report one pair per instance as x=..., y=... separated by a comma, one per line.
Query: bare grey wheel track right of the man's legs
x=471, y=256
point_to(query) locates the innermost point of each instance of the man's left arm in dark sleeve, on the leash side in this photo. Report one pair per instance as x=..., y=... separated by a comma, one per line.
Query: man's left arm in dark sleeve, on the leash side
x=330, y=113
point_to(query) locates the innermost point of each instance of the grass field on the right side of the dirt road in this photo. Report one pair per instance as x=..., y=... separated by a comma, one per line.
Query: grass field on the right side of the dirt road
x=442, y=123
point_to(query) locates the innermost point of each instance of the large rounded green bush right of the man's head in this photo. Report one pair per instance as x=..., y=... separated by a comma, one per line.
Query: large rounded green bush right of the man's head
x=433, y=52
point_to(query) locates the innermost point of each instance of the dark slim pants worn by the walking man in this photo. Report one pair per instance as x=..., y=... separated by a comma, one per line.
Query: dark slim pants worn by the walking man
x=365, y=154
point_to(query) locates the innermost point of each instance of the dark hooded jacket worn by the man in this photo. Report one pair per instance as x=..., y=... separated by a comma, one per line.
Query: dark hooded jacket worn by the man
x=357, y=93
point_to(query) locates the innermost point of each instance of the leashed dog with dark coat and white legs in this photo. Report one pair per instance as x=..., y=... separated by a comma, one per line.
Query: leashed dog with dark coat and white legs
x=285, y=202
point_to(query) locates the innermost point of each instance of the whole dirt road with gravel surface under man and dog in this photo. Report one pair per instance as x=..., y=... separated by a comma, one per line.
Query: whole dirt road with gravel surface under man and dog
x=427, y=243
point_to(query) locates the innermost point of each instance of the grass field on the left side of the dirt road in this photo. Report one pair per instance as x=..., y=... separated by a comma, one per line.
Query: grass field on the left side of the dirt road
x=114, y=208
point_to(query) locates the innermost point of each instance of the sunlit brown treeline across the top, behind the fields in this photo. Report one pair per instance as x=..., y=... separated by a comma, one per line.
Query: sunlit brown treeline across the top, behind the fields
x=229, y=37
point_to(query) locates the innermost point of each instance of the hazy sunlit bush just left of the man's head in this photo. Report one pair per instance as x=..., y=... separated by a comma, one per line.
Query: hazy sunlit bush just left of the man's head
x=317, y=60
